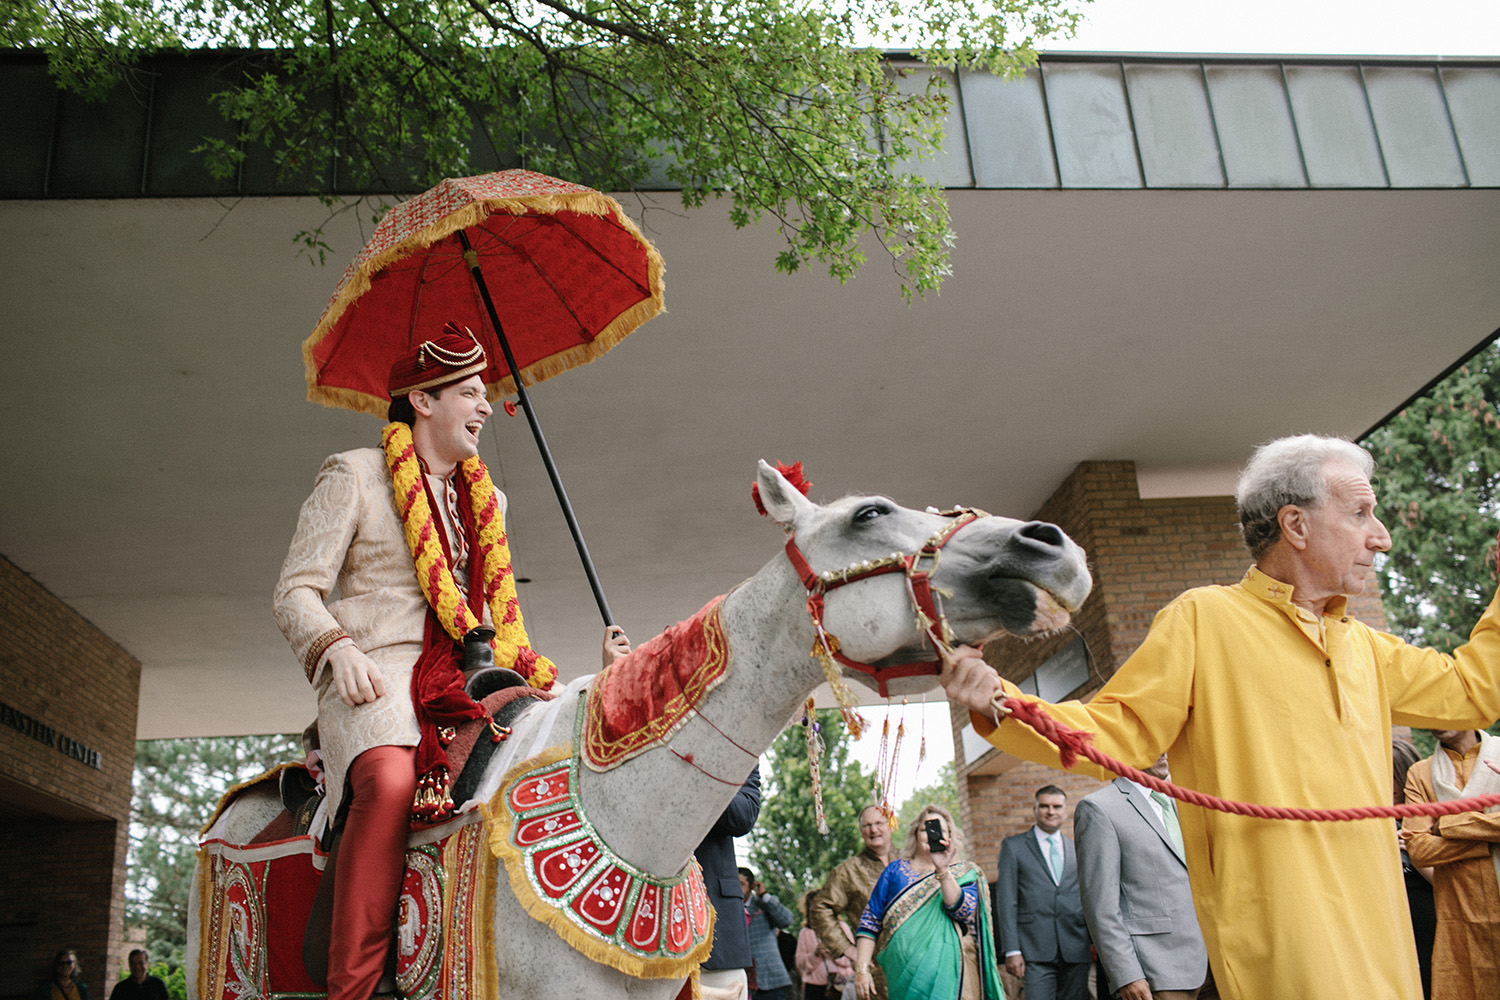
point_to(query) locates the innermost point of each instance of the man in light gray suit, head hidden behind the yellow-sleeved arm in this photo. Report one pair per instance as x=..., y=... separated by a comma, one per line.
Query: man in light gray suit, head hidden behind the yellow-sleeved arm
x=1136, y=897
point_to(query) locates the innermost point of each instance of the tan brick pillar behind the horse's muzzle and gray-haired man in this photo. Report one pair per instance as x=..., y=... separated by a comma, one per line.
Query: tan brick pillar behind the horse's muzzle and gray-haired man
x=1142, y=552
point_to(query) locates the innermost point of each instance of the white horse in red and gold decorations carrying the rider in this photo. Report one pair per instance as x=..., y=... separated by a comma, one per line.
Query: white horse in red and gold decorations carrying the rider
x=994, y=575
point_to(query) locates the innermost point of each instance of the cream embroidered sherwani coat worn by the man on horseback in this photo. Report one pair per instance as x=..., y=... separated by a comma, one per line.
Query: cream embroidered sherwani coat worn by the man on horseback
x=350, y=542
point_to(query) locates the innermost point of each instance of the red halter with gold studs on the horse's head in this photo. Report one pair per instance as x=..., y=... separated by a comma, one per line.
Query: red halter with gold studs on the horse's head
x=920, y=567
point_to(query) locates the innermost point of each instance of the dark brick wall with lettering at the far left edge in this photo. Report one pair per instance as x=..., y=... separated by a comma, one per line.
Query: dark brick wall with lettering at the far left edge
x=70, y=692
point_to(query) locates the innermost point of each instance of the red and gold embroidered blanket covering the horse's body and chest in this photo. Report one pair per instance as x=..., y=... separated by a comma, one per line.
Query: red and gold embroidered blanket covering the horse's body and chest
x=256, y=897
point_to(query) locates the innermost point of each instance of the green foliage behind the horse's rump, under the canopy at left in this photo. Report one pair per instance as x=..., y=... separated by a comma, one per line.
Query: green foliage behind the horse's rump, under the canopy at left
x=178, y=786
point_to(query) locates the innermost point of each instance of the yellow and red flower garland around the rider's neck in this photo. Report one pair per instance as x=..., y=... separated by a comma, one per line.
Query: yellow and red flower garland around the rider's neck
x=434, y=573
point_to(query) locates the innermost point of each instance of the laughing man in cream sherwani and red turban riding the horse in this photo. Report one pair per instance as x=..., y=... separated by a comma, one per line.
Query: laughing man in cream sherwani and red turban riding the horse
x=362, y=650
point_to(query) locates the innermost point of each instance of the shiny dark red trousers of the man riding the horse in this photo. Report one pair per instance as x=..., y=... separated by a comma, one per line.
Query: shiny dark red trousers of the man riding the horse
x=373, y=858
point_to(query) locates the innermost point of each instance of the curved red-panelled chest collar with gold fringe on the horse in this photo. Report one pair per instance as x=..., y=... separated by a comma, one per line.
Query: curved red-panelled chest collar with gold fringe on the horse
x=568, y=878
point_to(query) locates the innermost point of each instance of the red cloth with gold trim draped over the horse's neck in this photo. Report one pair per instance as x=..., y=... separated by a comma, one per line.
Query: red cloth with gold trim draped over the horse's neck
x=610, y=735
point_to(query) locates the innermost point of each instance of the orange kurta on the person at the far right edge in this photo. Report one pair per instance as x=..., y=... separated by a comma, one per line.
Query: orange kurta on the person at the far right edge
x=1466, y=956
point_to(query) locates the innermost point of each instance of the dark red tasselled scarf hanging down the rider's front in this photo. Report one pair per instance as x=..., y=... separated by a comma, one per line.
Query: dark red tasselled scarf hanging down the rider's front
x=437, y=680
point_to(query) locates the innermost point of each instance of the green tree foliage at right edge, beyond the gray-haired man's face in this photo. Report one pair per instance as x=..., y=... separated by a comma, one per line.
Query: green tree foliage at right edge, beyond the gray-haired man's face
x=1439, y=485
